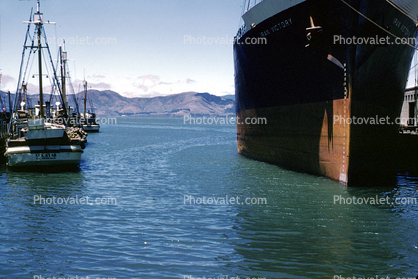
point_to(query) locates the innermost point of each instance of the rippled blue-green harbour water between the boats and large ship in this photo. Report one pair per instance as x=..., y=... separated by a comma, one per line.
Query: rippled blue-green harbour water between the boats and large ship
x=161, y=173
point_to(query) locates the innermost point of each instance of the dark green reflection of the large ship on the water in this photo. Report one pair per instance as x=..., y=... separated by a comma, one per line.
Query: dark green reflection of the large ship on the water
x=302, y=233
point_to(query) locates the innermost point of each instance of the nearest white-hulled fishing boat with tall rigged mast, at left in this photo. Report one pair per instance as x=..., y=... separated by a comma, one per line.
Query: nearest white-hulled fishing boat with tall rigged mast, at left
x=34, y=140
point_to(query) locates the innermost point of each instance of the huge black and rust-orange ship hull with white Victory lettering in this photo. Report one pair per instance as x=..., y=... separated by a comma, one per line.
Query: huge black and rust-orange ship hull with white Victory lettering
x=331, y=108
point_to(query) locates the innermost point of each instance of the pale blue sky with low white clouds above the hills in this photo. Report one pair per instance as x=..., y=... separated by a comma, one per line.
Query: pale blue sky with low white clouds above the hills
x=138, y=48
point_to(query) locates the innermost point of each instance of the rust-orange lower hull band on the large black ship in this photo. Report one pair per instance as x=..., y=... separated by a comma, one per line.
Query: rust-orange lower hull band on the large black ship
x=302, y=137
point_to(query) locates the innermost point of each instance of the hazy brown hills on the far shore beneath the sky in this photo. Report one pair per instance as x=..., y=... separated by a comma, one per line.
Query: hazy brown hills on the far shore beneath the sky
x=110, y=103
